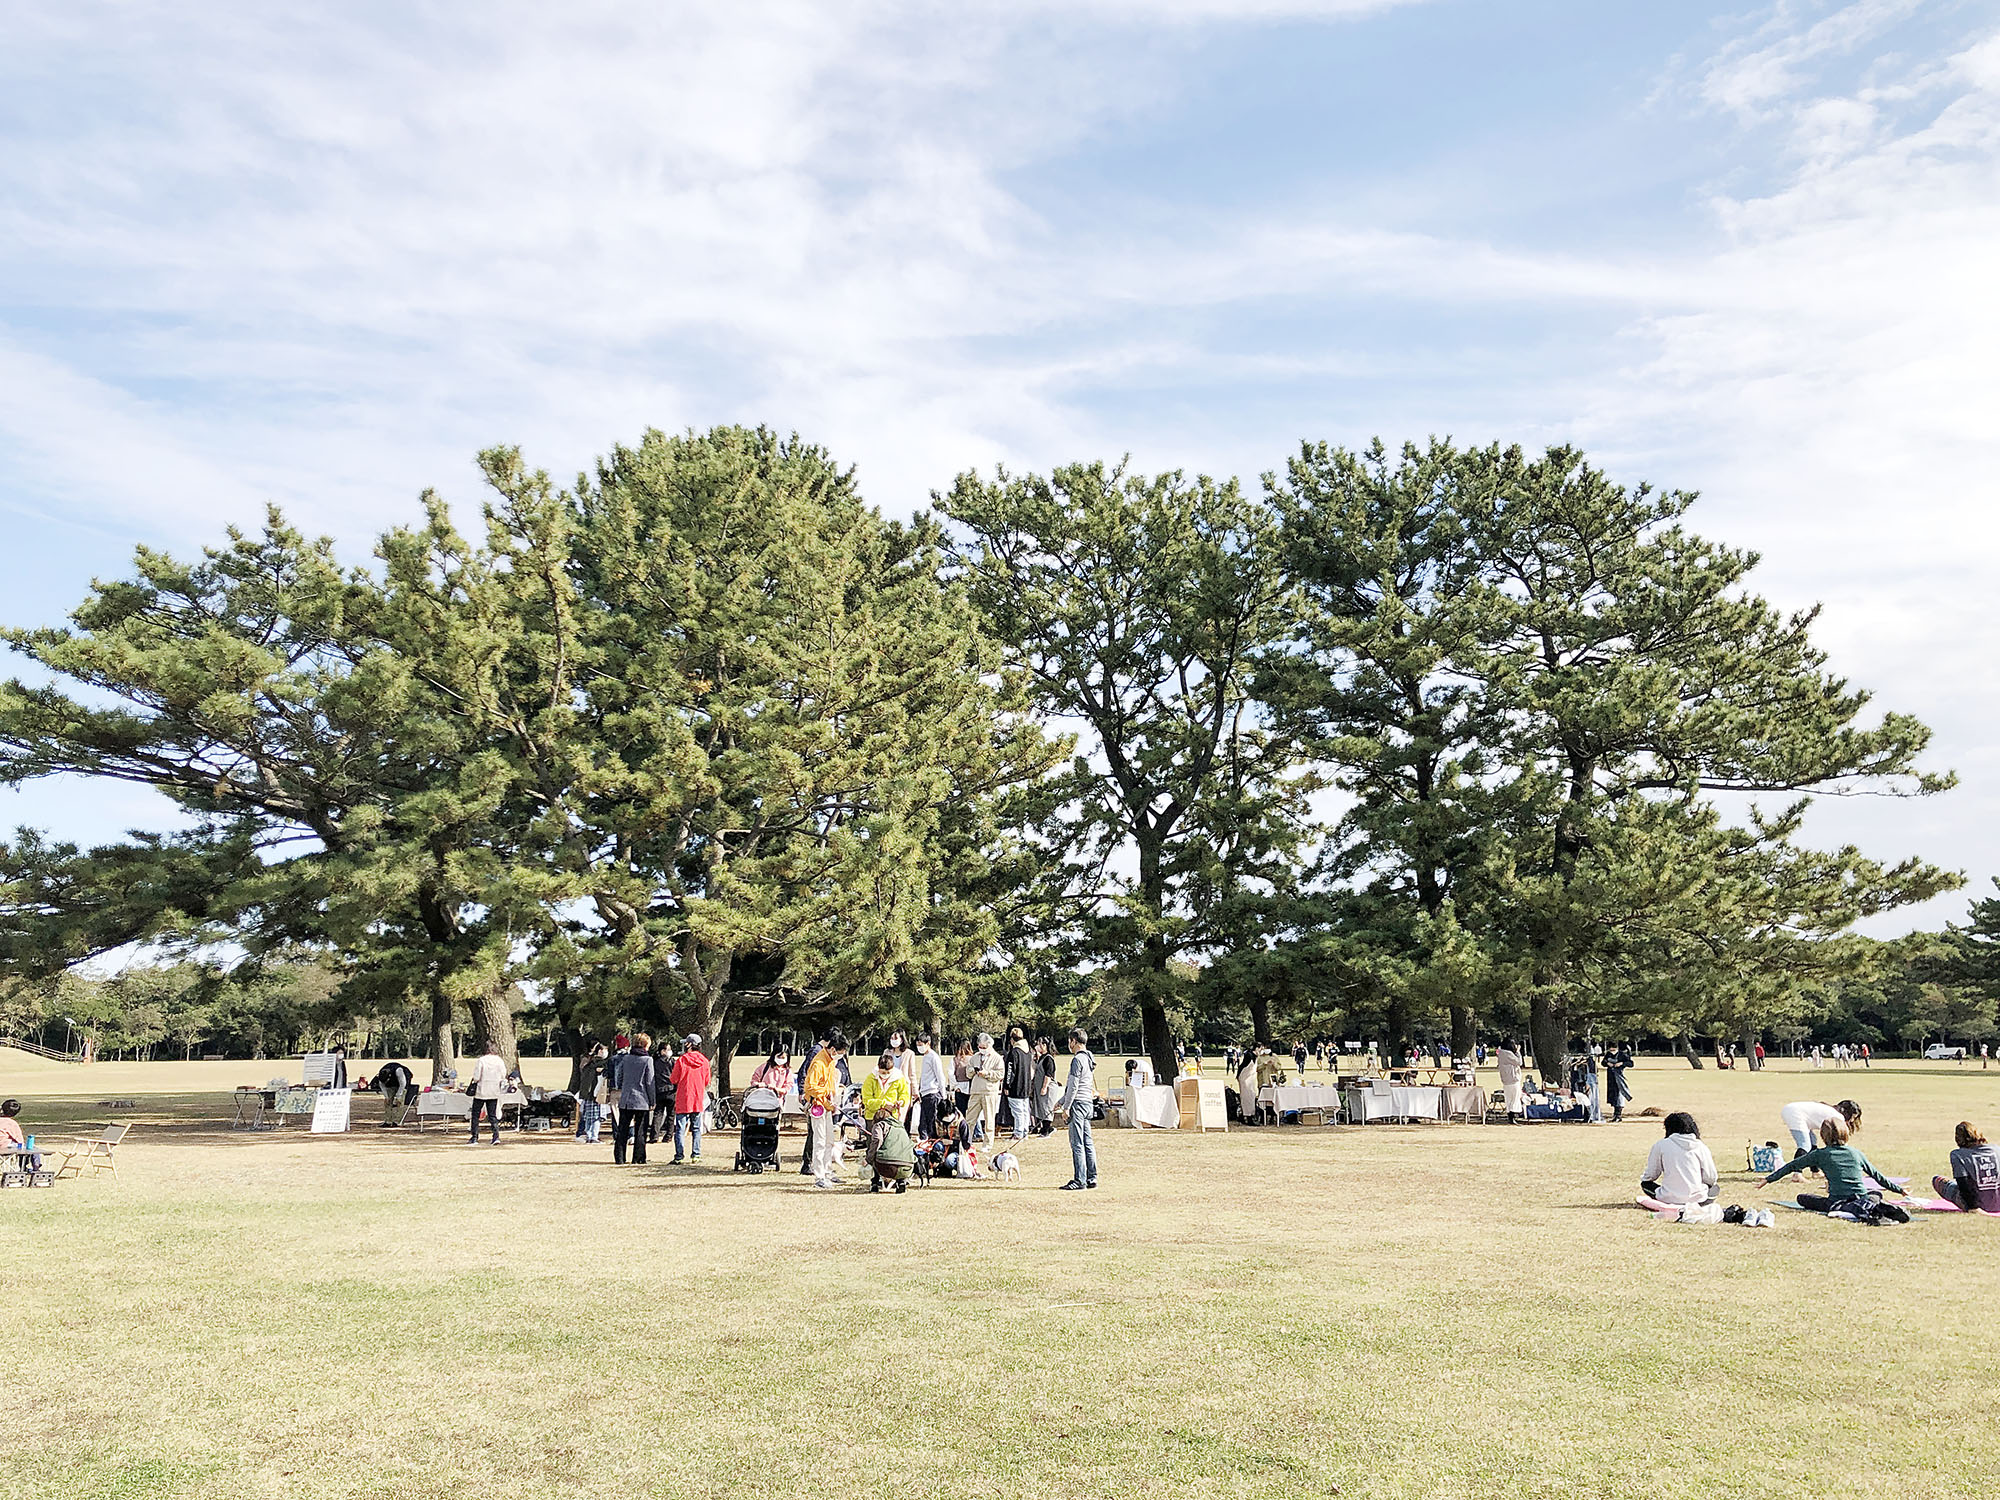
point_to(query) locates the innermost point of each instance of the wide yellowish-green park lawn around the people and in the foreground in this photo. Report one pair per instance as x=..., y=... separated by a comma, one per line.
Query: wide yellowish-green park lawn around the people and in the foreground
x=1379, y=1311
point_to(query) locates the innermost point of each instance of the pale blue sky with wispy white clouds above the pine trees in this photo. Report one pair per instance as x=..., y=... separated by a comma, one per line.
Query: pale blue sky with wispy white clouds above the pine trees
x=321, y=259
